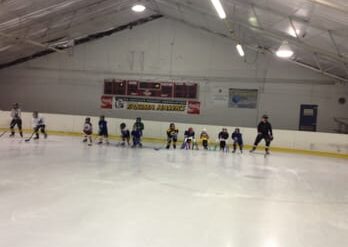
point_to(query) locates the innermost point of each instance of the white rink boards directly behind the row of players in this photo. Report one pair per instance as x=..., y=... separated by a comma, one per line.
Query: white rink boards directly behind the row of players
x=284, y=139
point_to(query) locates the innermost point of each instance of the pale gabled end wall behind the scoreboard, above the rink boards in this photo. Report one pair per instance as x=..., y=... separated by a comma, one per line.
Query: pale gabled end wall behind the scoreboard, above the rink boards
x=166, y=50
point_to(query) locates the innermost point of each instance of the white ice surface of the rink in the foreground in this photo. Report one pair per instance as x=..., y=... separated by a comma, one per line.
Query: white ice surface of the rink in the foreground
x=61, y=193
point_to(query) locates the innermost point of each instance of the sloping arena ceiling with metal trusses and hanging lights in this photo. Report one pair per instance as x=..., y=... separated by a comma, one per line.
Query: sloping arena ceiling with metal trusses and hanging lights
x=316, y=30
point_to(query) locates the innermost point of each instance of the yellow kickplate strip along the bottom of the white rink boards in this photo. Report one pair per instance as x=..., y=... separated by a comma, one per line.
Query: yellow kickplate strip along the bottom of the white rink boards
x=156, y=140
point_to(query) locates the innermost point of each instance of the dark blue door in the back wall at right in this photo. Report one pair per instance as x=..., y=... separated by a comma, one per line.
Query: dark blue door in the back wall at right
x=308, y=117
